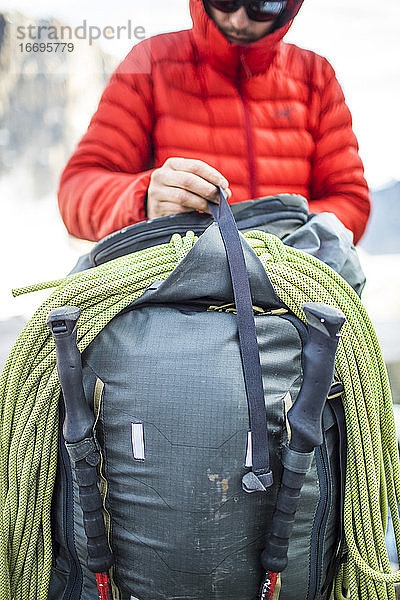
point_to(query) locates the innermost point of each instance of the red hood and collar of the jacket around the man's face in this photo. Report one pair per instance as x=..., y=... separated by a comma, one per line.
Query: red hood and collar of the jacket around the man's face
x=227, y=57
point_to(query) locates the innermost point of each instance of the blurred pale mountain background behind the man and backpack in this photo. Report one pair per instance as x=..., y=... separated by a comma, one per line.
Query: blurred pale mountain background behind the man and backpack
x=47, y=99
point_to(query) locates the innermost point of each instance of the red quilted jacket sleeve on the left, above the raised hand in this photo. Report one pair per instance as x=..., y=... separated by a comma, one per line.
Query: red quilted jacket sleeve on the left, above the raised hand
x=103, y=186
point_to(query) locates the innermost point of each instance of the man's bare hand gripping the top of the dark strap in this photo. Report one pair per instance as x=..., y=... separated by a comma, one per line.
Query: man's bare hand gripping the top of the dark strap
x=182, y=185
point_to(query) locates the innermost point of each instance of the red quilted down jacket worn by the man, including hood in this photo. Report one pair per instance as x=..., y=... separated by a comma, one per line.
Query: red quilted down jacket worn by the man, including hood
x=271, y=117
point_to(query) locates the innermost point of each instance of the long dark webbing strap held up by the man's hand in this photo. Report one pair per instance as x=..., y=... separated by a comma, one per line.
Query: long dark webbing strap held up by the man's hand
x=261, y=476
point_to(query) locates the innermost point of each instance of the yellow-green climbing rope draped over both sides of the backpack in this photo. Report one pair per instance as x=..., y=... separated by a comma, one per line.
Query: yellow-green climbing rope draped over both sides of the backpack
x=29, y=391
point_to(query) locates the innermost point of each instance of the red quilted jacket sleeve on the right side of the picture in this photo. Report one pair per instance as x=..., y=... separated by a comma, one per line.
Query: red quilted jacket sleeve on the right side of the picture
x=337, y=180
